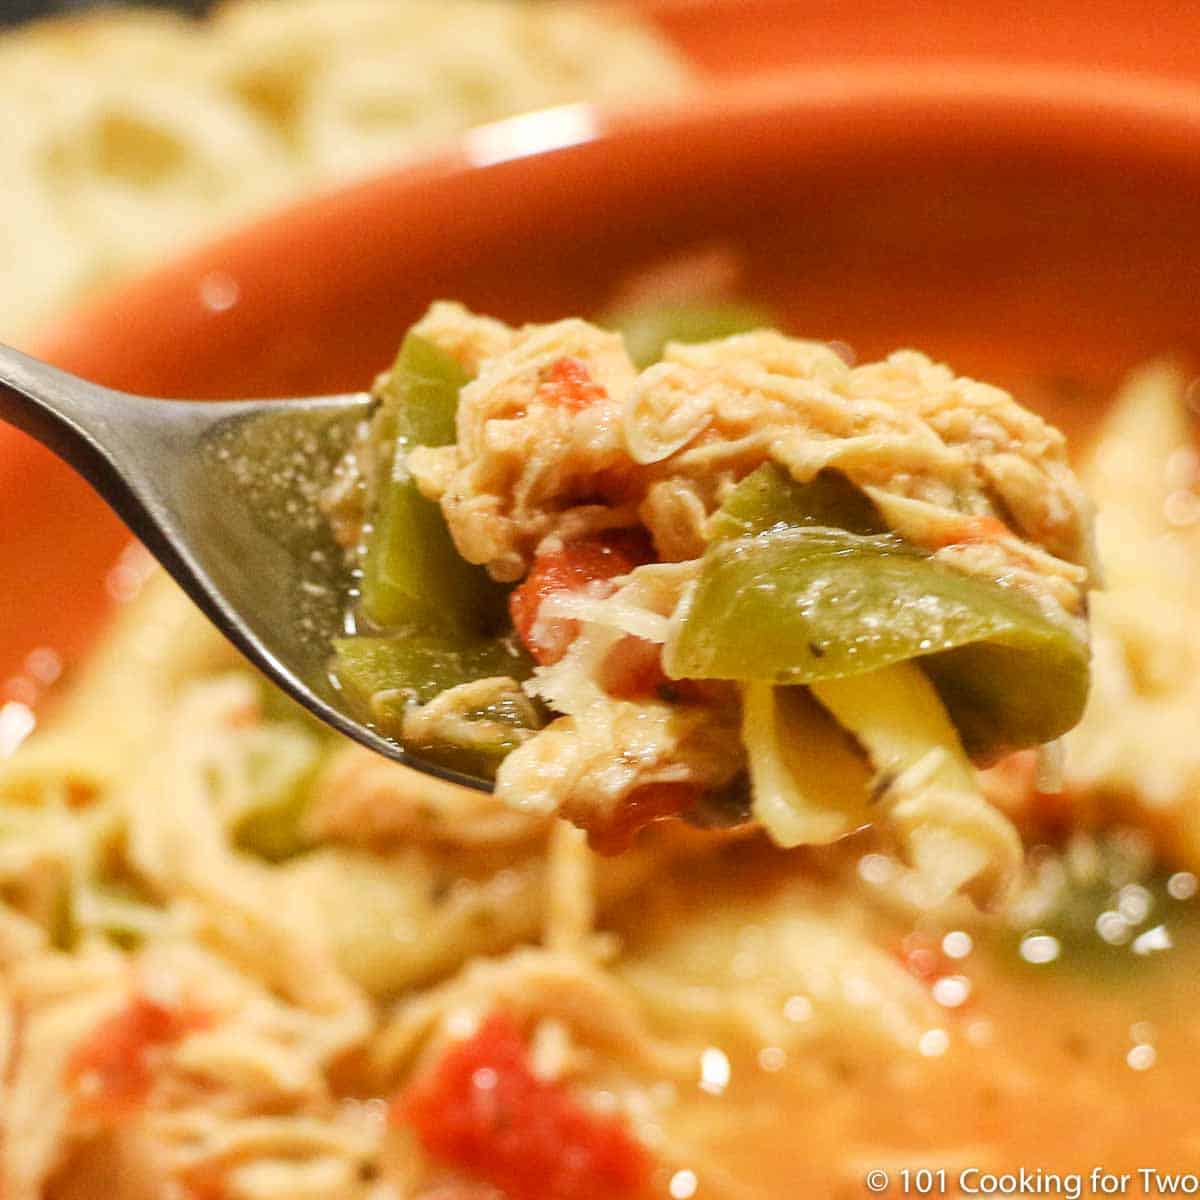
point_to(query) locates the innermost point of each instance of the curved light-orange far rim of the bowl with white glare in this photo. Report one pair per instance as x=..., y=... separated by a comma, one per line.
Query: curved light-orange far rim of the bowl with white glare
x=1066, y=109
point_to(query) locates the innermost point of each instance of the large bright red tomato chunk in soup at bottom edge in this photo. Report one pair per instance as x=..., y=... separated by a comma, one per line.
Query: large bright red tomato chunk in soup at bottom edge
x=482, y=1109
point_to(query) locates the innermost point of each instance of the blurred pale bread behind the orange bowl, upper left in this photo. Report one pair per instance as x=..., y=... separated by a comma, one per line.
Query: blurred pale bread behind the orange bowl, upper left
x=128, y=136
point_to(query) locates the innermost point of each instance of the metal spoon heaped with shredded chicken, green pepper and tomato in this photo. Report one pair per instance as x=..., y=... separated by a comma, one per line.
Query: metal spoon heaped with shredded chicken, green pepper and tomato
x=735, y=580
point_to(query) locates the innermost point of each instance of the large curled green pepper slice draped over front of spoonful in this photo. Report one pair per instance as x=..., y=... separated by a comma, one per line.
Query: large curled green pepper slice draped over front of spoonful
x=797, y=605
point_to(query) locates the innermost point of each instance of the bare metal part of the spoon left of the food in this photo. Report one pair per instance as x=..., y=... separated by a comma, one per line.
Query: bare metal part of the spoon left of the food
x=224, y=494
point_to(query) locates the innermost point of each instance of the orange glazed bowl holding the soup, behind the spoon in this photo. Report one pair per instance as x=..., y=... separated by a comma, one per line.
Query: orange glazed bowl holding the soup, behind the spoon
x=1021, y=223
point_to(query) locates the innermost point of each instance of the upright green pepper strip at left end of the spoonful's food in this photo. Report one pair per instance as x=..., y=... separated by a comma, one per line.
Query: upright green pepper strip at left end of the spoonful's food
x=412, y=573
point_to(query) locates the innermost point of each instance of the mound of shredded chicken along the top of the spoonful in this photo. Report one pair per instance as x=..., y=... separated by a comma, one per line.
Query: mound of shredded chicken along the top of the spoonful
x=657, y=447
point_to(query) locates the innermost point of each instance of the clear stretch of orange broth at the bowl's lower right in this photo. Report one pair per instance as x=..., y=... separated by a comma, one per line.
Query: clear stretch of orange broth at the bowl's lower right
x=1045, y=1067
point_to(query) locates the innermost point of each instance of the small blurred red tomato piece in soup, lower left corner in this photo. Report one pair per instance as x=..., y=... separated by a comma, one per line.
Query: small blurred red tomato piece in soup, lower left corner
x=111, y=1071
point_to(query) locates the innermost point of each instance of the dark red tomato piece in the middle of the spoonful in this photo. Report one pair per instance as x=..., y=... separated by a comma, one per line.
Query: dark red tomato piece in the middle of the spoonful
x=578, y=566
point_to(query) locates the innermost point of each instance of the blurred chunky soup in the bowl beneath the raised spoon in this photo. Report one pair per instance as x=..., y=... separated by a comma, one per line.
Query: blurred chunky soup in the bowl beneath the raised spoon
x=279, y=938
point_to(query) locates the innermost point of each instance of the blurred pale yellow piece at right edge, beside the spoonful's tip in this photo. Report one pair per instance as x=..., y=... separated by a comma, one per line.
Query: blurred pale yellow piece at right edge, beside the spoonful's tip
x=1135, y=753
